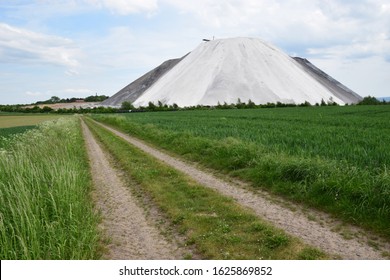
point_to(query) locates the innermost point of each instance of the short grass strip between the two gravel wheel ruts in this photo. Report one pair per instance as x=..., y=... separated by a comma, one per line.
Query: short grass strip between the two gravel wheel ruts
x=216, y=225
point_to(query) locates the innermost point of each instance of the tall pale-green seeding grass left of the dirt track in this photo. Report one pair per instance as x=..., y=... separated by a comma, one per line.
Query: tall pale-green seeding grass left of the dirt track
x=45, y=209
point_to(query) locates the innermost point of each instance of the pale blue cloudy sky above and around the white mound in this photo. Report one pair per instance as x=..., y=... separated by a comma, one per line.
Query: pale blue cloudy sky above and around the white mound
x=76, y=48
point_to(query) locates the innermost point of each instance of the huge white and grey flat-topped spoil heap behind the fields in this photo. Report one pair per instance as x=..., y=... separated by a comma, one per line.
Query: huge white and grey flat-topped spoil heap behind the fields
x=226, y=70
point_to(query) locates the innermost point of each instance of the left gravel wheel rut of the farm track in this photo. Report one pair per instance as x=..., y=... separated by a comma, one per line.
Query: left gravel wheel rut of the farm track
x=124, y=223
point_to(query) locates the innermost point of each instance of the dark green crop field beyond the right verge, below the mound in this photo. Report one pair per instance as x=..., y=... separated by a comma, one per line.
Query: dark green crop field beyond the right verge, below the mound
x=356, y=134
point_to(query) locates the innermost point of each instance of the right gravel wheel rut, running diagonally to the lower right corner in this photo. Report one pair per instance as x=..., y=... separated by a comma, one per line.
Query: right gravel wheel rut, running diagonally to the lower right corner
x=316, y=229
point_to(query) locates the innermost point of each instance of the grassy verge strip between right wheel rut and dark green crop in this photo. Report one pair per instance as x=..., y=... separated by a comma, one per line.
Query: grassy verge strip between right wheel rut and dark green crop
x=354, y=194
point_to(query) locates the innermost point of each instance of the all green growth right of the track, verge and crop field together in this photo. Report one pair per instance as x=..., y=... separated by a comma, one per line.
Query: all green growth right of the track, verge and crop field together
x=332, y=158
